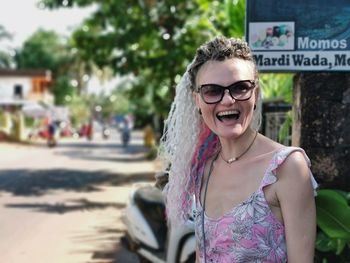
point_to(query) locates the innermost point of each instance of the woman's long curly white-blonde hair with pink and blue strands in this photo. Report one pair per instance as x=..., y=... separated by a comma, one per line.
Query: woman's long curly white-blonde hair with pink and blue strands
x=187, y=143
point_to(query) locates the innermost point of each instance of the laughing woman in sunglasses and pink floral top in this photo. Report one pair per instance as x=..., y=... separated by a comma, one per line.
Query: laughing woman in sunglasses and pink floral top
x=254, y=197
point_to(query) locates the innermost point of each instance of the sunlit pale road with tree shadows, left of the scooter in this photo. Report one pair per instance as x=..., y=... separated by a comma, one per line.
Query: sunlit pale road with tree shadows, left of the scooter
x=64, y=204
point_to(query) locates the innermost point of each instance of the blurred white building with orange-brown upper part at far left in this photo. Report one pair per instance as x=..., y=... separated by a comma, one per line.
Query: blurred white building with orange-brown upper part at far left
x=22, y=92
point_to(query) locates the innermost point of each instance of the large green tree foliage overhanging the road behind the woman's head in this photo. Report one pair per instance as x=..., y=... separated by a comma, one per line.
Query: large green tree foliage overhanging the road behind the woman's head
x=152, y=40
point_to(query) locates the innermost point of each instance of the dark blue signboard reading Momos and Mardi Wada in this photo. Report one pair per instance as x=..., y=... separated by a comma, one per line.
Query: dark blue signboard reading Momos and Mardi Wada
x=299, y=35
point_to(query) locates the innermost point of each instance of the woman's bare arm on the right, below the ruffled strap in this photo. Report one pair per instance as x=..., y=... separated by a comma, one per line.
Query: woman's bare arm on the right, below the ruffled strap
x=296, y=197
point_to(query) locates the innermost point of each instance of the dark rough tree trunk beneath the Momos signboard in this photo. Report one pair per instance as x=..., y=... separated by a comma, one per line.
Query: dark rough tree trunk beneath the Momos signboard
x=321, y=125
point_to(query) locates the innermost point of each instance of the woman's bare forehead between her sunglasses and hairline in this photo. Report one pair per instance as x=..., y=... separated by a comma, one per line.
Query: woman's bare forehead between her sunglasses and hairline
x=225, y=72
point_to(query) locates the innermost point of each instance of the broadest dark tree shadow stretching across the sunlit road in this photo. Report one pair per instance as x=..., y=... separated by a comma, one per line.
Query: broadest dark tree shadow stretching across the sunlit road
x=23, y=182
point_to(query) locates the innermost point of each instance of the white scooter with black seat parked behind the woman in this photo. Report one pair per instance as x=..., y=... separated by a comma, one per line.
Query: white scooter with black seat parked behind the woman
x=148, y=234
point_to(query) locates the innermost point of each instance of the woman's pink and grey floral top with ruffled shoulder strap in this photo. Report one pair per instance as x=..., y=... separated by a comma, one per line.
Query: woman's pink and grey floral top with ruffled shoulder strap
x=249, y=232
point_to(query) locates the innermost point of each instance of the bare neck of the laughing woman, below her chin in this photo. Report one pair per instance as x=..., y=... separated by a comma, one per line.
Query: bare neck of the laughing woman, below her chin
x=233, y=148
